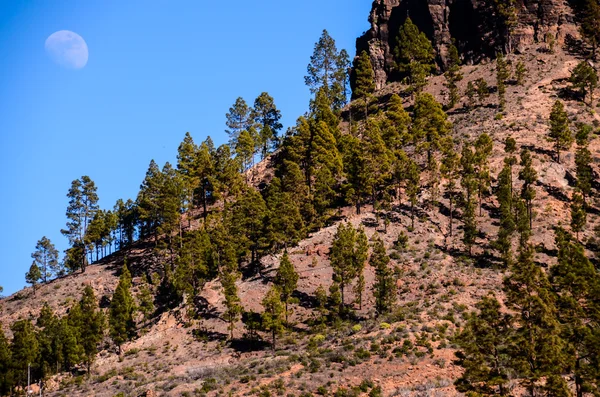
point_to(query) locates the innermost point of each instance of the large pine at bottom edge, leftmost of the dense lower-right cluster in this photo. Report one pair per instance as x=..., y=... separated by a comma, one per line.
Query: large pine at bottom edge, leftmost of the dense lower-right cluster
x=485, y=354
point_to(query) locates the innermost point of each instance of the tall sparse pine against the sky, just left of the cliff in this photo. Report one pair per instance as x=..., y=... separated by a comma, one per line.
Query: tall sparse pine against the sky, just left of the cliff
x=328, y=70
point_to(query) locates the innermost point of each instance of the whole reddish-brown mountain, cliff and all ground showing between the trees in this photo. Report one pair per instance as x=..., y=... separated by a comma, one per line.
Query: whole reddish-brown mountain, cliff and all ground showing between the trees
x=184, y=349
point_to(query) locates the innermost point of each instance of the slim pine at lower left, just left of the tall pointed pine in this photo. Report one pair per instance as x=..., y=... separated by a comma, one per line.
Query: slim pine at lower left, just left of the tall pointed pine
x=92, y=326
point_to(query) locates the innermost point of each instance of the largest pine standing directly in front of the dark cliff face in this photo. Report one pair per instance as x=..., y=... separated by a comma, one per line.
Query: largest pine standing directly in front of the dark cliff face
x=414, y=55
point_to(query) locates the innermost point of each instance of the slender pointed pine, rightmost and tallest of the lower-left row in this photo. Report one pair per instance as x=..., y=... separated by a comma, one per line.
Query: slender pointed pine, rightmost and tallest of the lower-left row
x=122, y=307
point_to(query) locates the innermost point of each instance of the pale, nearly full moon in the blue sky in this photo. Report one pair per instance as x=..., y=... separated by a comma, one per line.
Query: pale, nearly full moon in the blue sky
x=67, y=49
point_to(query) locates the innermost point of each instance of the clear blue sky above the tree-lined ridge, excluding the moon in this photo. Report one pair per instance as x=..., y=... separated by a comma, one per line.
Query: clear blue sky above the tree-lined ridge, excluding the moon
x=156, y=69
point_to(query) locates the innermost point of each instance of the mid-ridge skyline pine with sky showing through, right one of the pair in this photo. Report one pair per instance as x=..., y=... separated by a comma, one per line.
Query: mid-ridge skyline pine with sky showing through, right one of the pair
x=266, y=116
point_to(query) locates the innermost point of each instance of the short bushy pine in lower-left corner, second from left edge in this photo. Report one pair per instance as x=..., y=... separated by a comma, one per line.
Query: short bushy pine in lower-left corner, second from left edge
x=24, y=351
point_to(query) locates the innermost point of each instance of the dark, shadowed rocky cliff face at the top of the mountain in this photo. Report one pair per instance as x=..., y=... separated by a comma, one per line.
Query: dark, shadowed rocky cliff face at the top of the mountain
x=472, y=23
